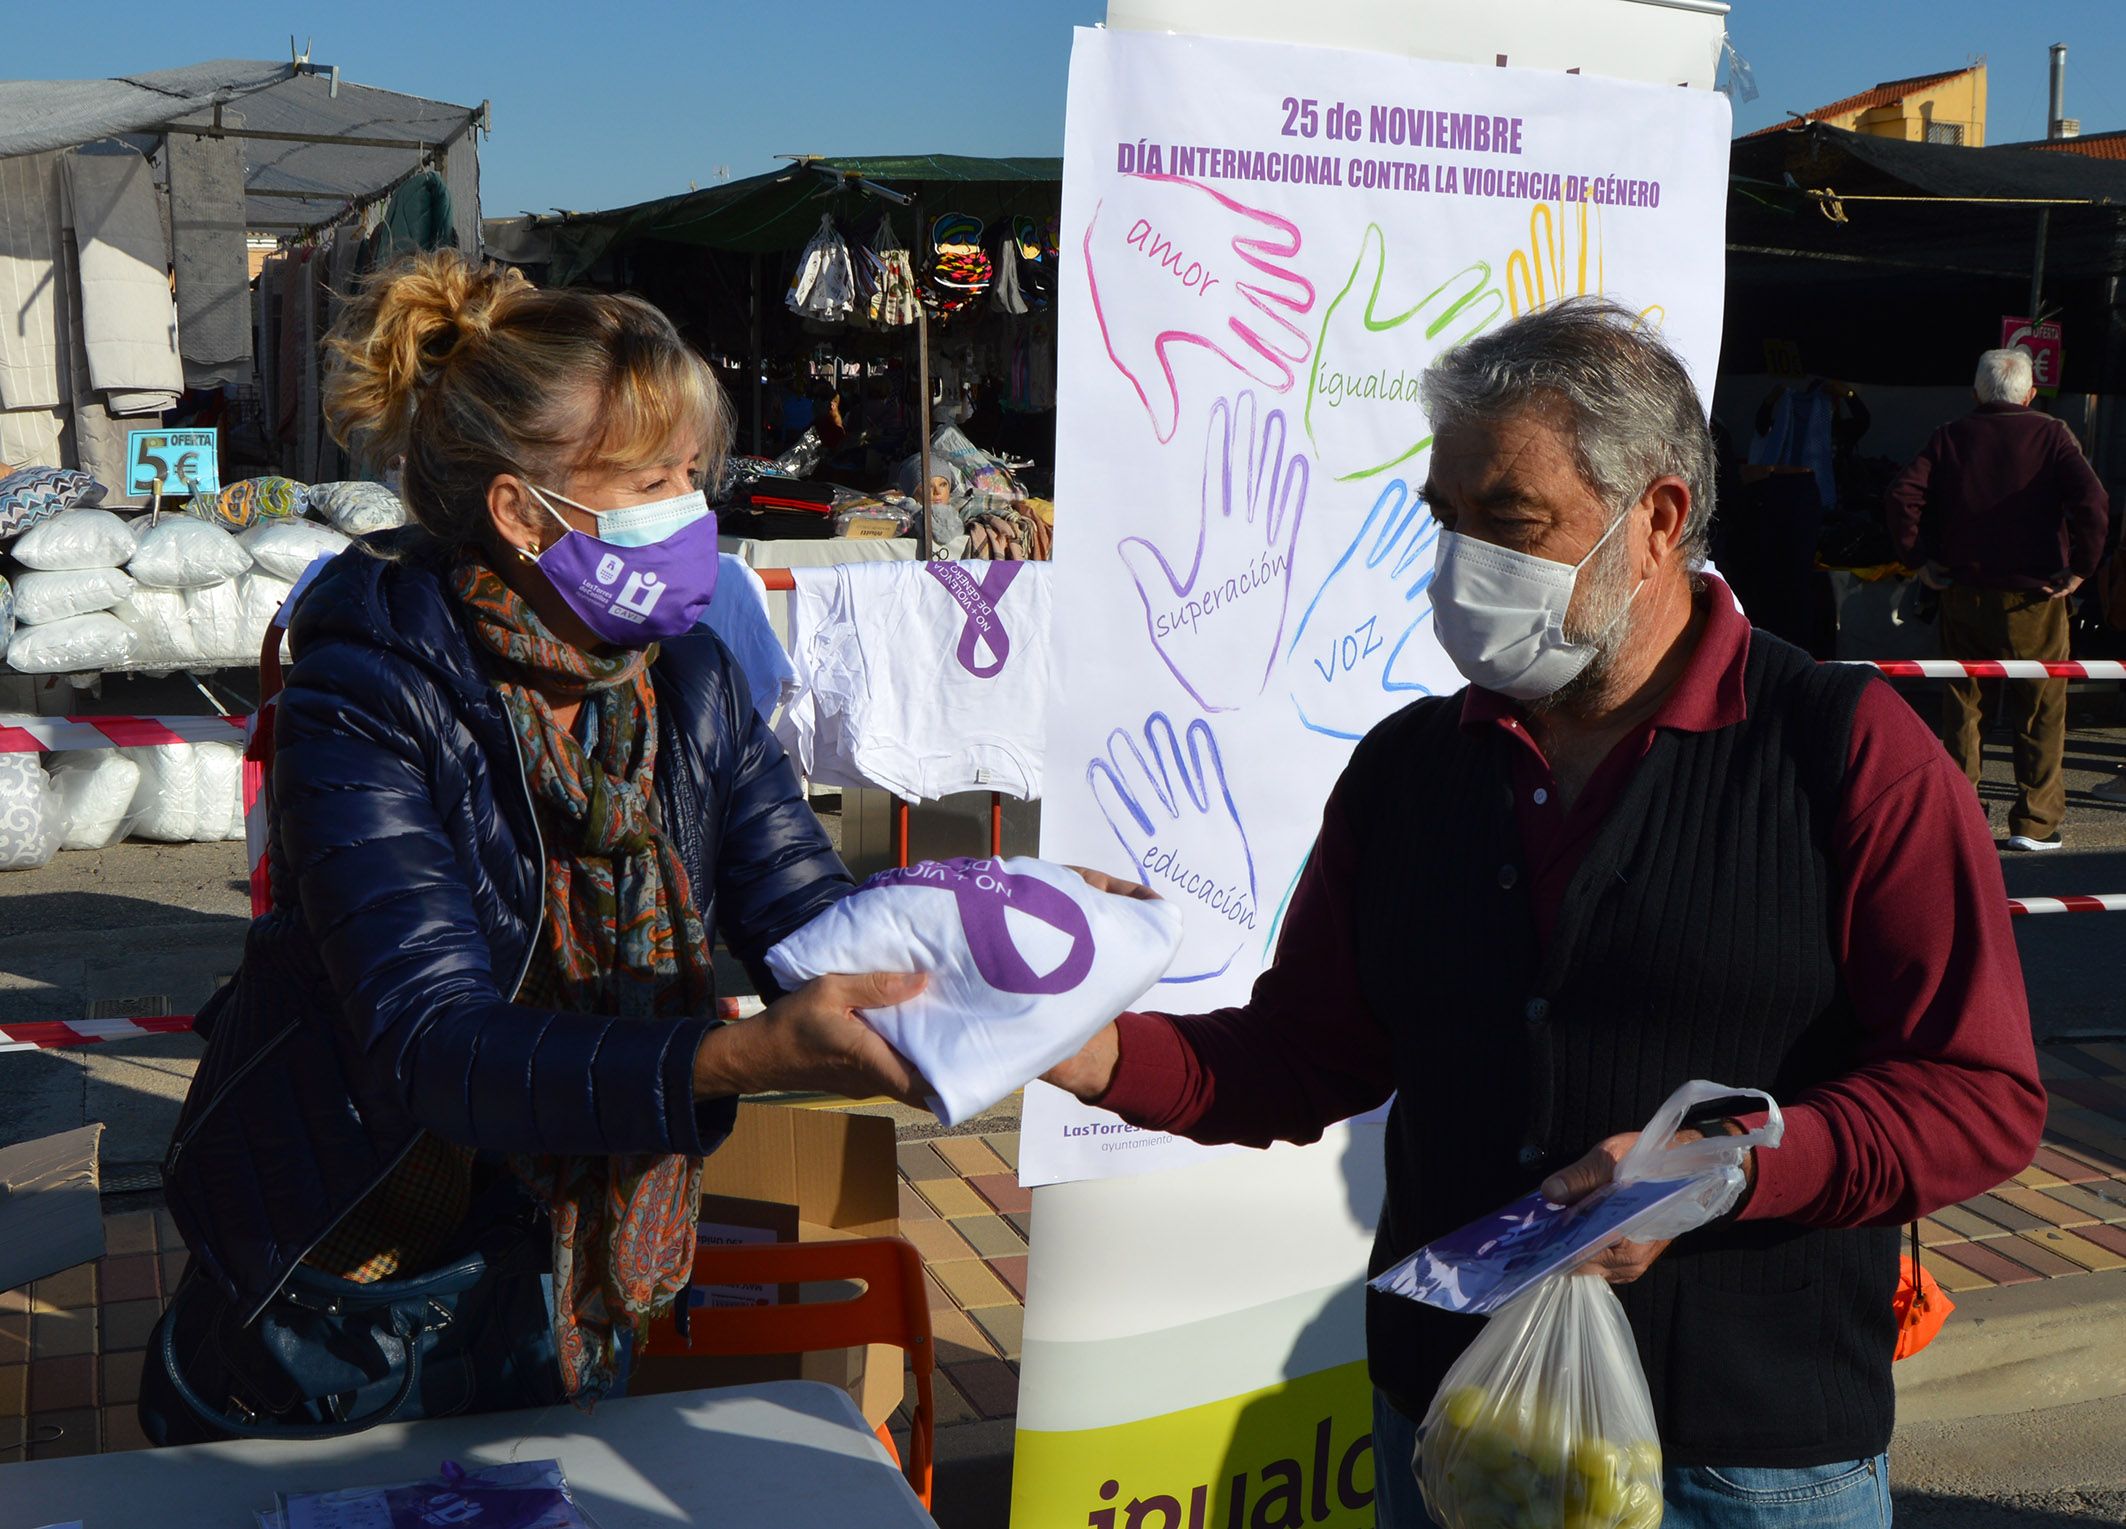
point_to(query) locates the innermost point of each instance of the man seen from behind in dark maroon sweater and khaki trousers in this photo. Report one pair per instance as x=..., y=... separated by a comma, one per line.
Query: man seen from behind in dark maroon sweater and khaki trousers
x=2004, y=516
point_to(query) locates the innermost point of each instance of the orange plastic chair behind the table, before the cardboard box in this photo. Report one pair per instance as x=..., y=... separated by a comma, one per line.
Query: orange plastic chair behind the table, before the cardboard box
x=894, y=1309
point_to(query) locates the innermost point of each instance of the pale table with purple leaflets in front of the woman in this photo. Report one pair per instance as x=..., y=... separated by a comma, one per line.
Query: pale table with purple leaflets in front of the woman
x=786, y=1456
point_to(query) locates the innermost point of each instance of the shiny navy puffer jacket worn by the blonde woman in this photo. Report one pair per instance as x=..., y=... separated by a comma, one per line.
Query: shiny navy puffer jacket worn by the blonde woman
x=375, y=1001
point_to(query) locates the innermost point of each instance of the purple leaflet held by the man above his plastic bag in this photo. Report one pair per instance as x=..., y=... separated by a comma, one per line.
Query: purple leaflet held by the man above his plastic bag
x=1483, y=1266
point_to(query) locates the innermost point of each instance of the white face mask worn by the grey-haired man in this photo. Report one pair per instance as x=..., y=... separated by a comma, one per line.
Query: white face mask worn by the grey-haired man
x=1502, y=616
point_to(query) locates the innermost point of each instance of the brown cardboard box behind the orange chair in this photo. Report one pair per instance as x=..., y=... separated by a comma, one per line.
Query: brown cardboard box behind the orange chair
x=794, y=1175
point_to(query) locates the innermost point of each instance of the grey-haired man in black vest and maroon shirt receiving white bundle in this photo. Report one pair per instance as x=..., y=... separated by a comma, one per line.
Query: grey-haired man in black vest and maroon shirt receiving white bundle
x=1644, y=845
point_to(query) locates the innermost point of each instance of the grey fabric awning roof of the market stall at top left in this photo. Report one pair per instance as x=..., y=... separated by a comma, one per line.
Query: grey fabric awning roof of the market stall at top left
x=314, y=146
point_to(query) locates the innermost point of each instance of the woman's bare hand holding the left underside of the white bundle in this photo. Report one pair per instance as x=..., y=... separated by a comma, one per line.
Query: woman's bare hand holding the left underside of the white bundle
x=813, y=1043
